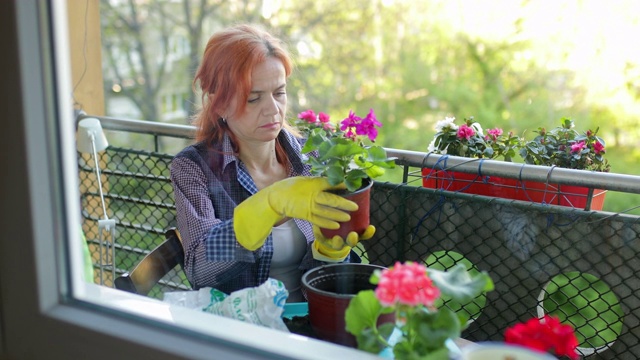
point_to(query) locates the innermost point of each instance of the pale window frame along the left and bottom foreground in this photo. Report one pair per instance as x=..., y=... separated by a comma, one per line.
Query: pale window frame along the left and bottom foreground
x=40, y=216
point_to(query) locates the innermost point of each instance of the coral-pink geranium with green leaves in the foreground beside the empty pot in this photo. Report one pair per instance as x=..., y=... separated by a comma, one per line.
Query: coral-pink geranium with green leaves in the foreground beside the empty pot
x=410, y=291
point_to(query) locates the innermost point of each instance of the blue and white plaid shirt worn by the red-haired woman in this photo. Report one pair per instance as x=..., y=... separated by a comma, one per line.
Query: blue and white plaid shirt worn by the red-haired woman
x=208, y=183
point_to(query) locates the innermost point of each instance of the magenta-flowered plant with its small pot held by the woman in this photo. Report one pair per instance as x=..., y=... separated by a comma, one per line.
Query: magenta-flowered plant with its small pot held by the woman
x=345, y=154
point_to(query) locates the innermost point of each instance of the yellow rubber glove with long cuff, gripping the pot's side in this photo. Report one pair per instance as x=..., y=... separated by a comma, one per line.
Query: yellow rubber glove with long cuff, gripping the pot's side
x=297, y=197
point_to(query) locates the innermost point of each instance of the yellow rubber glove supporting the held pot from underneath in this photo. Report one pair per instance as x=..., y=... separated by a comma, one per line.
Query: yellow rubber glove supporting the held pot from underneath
x=336, y=249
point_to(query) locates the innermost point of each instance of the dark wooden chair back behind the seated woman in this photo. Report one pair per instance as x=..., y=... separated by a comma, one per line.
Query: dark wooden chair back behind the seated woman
x=154, y=266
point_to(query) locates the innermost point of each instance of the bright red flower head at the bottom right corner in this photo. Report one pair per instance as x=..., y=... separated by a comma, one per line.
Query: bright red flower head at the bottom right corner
x=544, y=335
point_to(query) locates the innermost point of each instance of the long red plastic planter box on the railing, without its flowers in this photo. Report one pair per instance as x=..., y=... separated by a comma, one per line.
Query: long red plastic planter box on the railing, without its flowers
x=543, y=193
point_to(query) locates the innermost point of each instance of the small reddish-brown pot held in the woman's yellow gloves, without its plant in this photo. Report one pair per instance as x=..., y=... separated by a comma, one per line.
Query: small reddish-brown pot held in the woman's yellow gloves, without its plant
x=359, y=218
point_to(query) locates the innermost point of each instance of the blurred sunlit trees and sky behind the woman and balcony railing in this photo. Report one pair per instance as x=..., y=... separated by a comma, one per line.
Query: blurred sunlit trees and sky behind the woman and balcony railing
x=519, y=65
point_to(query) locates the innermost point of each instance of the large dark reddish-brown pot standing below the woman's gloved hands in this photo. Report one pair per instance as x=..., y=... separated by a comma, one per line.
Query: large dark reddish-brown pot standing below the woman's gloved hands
x=329, y=290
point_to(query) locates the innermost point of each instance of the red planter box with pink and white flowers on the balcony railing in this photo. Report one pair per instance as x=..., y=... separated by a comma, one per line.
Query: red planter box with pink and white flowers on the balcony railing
x=562, y=146
